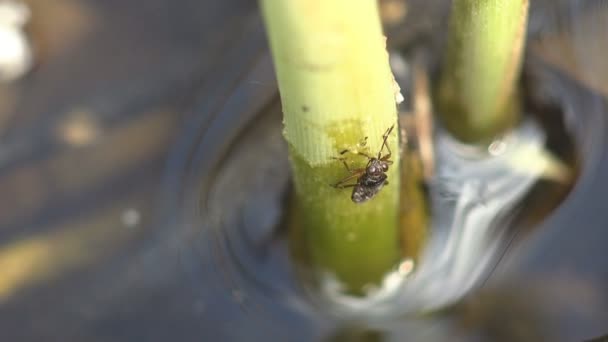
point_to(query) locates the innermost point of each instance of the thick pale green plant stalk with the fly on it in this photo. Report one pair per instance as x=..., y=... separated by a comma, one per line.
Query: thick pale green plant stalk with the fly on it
x=337, y=89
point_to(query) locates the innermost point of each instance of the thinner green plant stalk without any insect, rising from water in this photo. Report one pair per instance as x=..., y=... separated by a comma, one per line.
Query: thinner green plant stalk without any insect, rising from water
x=476, y=94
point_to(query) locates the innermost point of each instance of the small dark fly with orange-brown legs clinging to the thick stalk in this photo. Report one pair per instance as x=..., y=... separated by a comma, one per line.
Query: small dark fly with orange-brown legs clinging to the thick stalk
x=370, y=179
